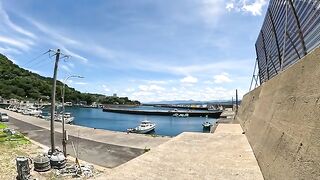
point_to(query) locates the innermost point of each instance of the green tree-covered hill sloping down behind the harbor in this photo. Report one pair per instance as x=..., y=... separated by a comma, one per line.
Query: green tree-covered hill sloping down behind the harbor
x=18, y=83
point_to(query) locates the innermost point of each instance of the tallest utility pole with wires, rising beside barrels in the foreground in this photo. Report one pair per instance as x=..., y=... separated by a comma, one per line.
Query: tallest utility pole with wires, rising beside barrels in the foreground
x=53, y=99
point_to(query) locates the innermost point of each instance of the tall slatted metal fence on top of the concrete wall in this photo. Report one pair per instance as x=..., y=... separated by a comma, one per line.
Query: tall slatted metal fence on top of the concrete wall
x=291, y=29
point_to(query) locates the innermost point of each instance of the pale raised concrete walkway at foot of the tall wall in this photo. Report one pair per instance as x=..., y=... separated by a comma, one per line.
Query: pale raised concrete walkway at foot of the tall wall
x=226, y=154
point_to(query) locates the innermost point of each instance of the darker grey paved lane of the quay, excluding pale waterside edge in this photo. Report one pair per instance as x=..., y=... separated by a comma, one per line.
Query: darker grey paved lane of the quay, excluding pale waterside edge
x=102, y=154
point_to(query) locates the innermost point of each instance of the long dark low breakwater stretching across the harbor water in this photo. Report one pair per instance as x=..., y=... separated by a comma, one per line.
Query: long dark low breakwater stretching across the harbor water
x=211, y=114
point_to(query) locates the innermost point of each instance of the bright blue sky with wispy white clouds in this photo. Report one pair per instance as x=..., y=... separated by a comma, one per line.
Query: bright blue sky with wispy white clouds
x=148, y=50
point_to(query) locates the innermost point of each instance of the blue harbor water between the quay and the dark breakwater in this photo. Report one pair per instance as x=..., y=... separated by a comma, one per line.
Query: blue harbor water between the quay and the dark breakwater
x=165, y=125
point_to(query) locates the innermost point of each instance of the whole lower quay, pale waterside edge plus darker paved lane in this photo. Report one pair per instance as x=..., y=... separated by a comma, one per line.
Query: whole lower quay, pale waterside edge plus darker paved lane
x=111, y=148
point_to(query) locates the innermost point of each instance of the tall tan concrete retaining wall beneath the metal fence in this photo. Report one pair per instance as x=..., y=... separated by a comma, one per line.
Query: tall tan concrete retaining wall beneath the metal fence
x=281, y=119
